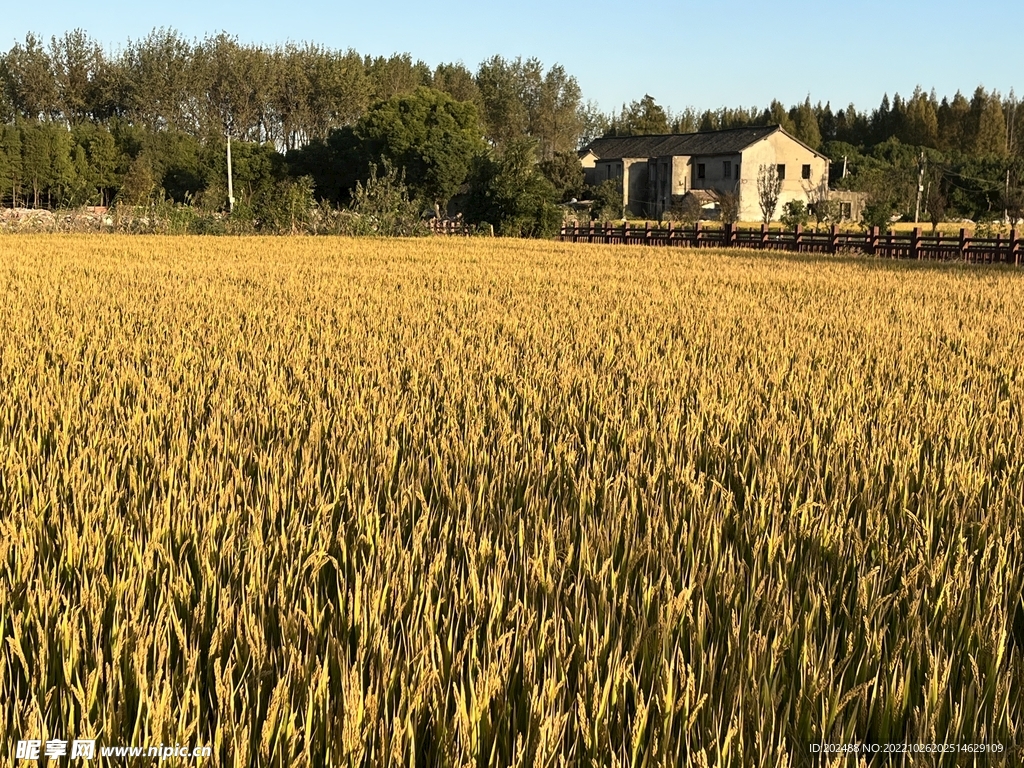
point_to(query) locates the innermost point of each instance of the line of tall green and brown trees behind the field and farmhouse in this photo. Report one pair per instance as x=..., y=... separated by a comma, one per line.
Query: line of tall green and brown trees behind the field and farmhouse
x=80, y=125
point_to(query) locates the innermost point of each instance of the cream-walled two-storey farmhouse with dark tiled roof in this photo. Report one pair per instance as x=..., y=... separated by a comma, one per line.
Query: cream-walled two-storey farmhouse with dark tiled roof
x=658, y=172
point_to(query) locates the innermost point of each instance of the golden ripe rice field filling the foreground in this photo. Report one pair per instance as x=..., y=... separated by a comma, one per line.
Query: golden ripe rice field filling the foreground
x=319, y=502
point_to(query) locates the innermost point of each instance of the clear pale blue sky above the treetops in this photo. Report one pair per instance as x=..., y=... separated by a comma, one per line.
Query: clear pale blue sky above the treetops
x=706, y=55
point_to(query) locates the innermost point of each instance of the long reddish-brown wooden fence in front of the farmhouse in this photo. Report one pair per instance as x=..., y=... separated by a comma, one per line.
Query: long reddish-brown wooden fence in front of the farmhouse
x=915, y=245
